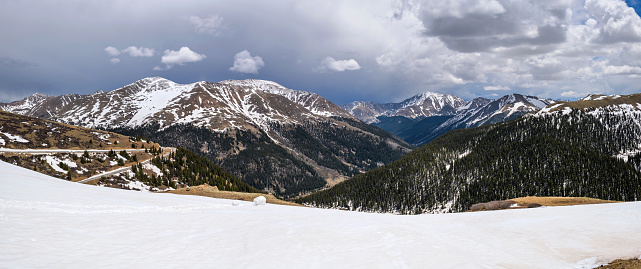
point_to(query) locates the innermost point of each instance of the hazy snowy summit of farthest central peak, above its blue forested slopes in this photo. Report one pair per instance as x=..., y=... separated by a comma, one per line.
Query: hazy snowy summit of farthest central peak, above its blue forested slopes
x=419, y=106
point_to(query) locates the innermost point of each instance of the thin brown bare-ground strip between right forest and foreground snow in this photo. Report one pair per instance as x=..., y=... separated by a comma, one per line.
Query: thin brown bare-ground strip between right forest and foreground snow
x=534, y=201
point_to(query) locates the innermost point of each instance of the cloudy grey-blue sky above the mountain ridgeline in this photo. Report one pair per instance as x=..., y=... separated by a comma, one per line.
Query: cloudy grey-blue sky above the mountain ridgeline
x=381, y=51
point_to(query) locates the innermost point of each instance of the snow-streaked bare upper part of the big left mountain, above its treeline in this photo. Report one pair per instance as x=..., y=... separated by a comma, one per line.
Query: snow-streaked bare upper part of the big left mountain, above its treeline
x=242, y=105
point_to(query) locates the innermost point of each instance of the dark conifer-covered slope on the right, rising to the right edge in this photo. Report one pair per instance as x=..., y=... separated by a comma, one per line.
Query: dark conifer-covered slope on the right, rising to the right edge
x=577, y=148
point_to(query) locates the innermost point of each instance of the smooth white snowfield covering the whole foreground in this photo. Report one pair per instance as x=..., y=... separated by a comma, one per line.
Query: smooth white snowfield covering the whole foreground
x=48, y=222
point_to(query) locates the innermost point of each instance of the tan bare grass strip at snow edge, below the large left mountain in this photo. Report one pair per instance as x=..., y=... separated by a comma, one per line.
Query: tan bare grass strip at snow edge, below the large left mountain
x=209, y=191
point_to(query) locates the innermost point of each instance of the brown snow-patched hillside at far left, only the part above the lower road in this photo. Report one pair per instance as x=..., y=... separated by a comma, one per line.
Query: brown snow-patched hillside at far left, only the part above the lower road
x=66, y=151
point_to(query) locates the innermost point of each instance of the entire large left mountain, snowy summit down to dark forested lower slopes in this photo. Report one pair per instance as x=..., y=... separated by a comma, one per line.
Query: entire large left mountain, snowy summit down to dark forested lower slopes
x=271, y=137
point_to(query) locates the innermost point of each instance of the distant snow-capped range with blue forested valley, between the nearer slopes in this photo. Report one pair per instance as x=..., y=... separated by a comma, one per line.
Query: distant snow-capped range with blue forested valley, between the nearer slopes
x=423, y=117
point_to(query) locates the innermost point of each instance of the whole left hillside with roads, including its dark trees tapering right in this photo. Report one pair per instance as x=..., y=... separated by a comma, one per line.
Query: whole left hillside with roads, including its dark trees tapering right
x=91, y=156
